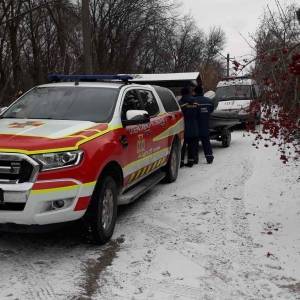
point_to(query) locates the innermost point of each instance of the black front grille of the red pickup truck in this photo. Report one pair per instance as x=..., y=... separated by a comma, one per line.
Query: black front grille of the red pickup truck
x=17, y=168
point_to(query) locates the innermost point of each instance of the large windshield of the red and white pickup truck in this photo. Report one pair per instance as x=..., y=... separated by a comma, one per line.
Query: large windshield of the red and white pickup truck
x=95, y=104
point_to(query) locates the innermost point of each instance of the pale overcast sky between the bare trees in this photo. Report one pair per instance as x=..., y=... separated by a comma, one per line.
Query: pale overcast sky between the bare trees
x=233, y=16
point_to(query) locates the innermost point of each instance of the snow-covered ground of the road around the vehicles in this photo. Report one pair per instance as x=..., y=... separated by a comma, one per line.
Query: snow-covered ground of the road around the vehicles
x=230, y=230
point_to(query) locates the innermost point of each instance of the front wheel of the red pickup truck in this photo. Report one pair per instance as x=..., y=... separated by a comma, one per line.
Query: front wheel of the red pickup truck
x=102, y=212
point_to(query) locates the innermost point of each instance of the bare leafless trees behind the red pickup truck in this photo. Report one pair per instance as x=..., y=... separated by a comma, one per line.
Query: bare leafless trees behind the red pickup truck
x=104, y=36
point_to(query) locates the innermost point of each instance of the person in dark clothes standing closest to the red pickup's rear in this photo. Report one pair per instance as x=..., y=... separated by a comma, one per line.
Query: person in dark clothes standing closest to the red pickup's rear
x=190, y=111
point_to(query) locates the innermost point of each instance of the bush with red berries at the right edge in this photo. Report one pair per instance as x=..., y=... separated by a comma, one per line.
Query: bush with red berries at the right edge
x=277, y=71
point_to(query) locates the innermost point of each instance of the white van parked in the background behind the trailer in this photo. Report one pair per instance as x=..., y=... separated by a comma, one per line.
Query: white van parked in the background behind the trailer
x=235, y=95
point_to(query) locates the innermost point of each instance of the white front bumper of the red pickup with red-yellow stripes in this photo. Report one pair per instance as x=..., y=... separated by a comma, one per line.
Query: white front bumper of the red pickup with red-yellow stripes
x=38, y=206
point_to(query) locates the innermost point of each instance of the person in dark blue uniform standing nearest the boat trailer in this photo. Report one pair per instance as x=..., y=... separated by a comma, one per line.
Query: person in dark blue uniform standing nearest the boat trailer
x=206, y=107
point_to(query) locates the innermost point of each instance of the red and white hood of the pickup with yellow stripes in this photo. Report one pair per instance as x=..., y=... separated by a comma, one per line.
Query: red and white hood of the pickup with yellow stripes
x=36, y=136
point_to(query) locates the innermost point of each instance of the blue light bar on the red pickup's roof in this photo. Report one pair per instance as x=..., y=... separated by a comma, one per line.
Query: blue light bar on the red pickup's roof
x=89, y=78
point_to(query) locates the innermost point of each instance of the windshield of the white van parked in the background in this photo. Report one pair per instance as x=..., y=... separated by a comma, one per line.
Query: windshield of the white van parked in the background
x=234, y=92
